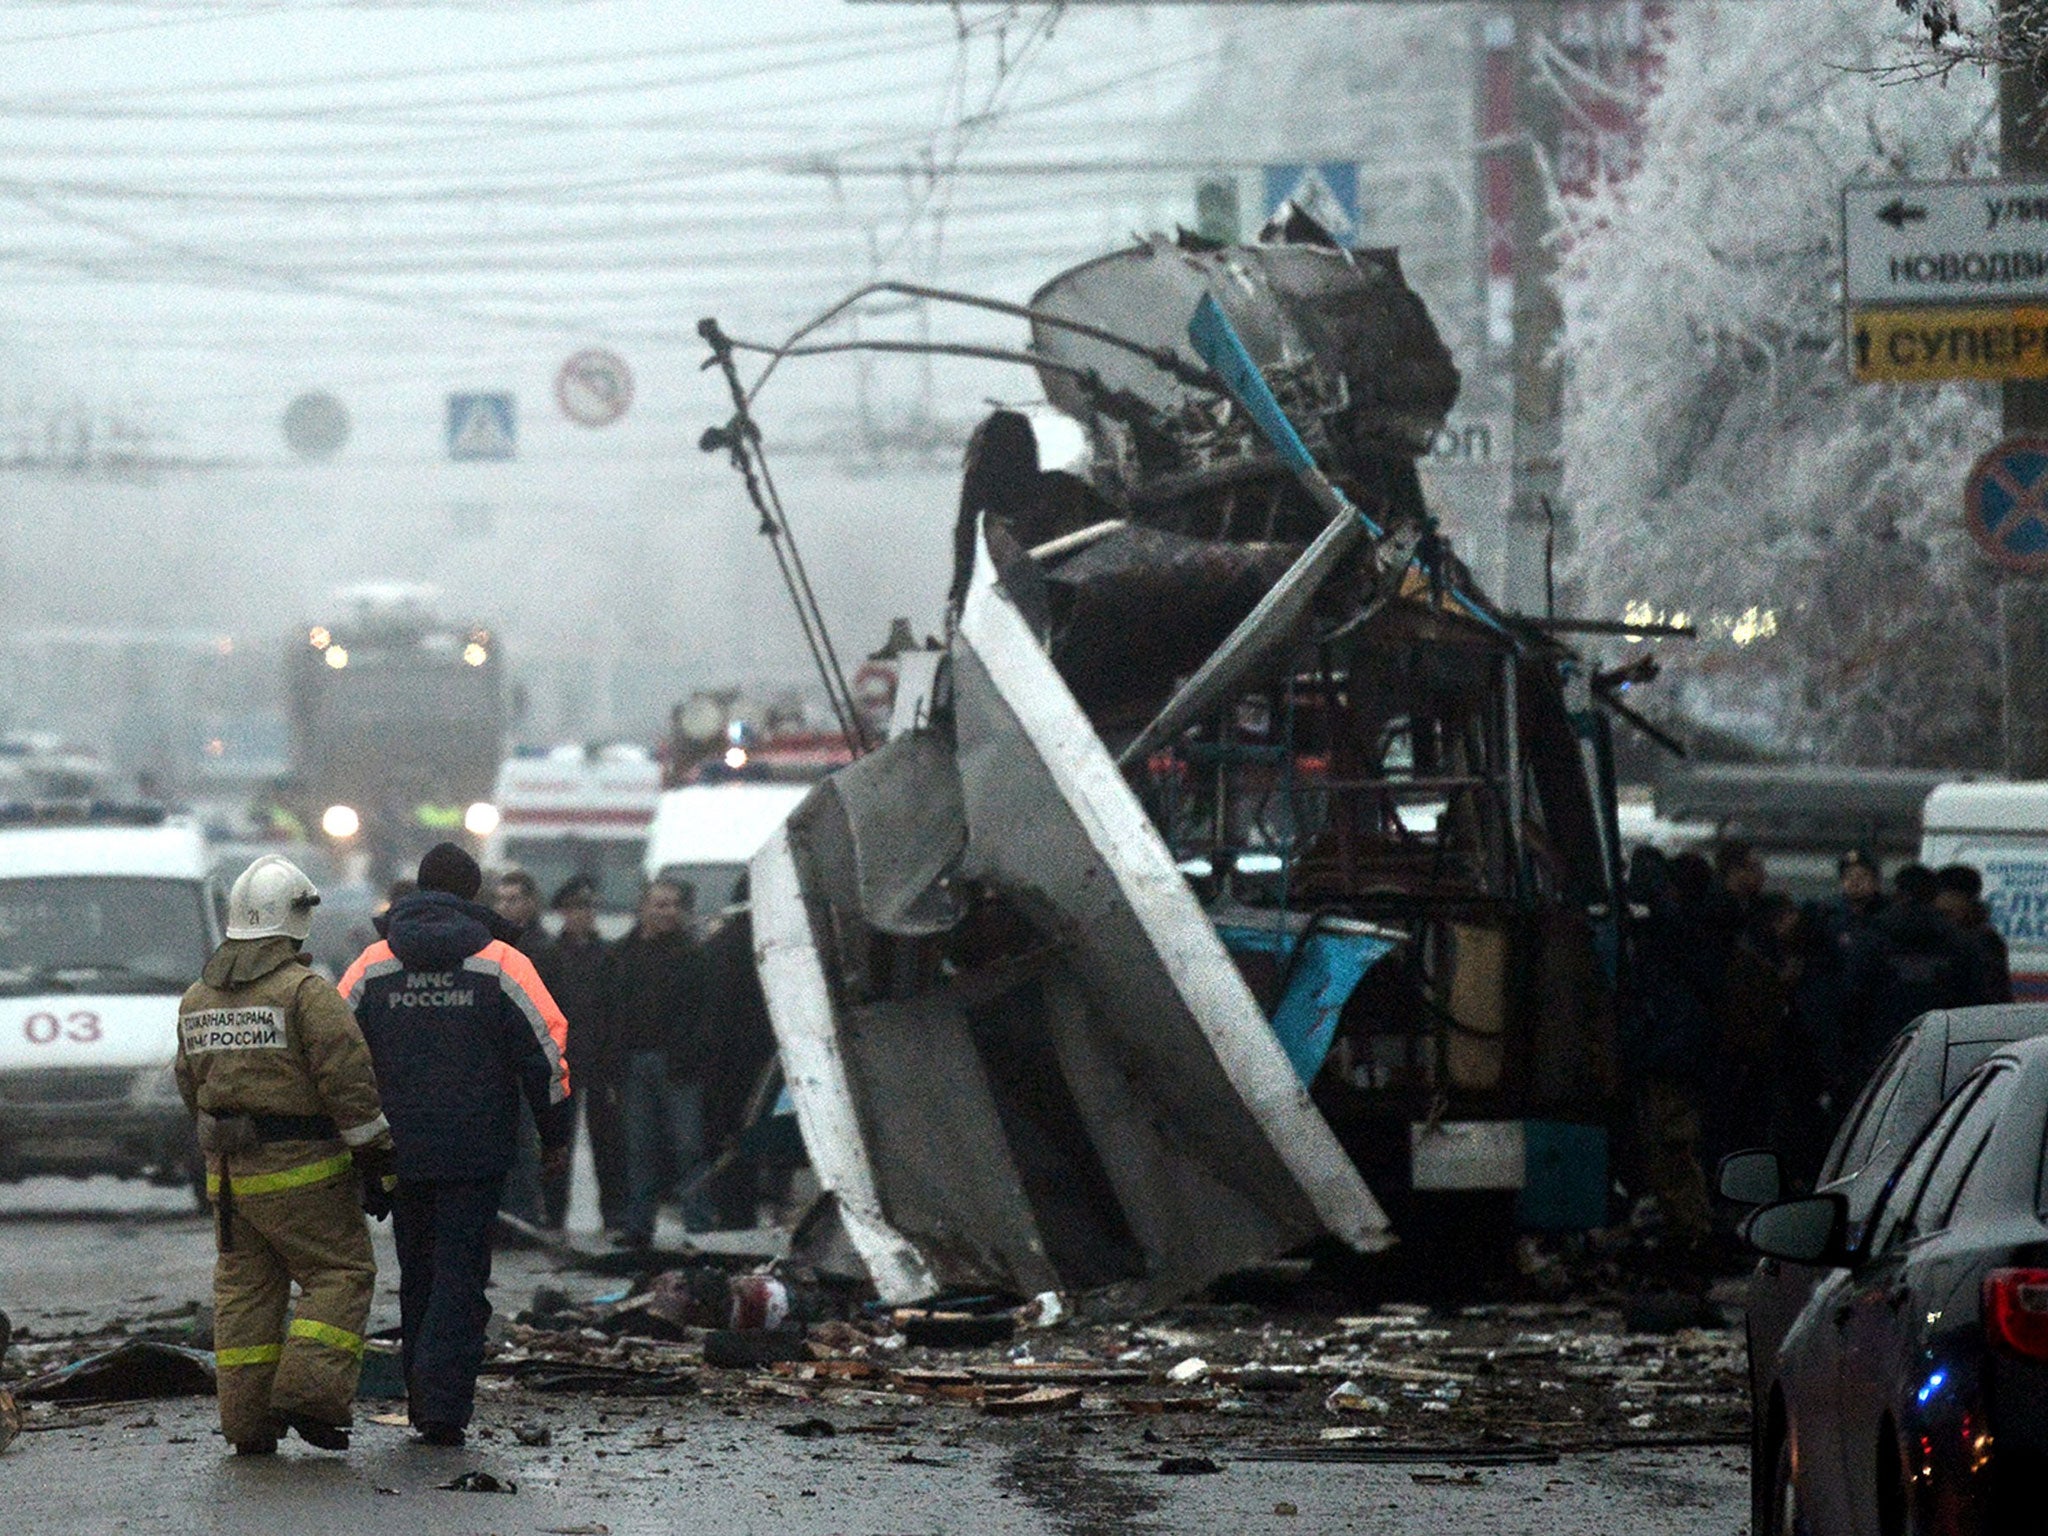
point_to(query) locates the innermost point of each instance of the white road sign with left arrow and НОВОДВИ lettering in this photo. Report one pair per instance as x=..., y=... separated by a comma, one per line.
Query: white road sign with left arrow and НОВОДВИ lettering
x=1945, y=243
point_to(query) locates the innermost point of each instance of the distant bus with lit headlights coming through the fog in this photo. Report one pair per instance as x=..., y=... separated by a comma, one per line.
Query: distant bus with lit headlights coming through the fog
x=398, y=724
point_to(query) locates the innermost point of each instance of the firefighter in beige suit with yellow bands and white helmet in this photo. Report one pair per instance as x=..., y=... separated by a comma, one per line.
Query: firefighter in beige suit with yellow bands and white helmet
x=298, y=1150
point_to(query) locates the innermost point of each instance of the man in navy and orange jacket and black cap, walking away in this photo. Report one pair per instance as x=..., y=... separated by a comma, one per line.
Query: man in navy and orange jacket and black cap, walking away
x=460, y=1029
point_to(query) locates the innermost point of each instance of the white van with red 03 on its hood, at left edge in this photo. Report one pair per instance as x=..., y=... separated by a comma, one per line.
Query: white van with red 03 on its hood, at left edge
x=108, y=916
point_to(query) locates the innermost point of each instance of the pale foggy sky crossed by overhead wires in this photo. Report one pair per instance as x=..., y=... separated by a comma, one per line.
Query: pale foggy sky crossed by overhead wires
x=210, y=210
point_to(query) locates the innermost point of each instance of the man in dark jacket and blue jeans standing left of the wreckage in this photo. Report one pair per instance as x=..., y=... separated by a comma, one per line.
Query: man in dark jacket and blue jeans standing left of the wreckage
x=654, y=1031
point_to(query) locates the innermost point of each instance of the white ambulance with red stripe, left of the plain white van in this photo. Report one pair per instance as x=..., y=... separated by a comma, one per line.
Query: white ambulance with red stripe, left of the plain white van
x=577, y=810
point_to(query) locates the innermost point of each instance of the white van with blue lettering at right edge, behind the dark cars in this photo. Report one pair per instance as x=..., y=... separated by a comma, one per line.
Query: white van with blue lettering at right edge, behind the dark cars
x=2004, y=833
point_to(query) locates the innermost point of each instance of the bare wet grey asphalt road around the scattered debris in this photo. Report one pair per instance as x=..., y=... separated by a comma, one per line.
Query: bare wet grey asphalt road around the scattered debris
x=75, y=1252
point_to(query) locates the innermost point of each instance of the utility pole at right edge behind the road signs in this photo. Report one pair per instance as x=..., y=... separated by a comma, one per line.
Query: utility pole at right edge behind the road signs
x=2024, y=599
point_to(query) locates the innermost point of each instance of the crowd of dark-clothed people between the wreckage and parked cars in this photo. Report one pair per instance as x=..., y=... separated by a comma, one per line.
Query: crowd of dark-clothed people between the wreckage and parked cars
x=1754, y=1019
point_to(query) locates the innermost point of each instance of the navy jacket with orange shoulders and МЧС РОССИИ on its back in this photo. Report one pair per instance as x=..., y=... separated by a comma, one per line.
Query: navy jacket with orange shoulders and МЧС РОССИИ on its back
x=460, y=1025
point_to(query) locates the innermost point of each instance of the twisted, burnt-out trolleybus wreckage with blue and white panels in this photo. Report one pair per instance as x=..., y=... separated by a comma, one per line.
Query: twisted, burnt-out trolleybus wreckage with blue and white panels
x=1232, y=853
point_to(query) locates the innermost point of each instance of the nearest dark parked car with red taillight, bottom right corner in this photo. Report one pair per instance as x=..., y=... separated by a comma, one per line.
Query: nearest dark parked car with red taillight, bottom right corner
x=1914, y=1383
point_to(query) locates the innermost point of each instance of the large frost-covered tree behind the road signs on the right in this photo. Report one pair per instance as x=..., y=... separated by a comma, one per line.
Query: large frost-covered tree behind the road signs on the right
x=1719, y=462
